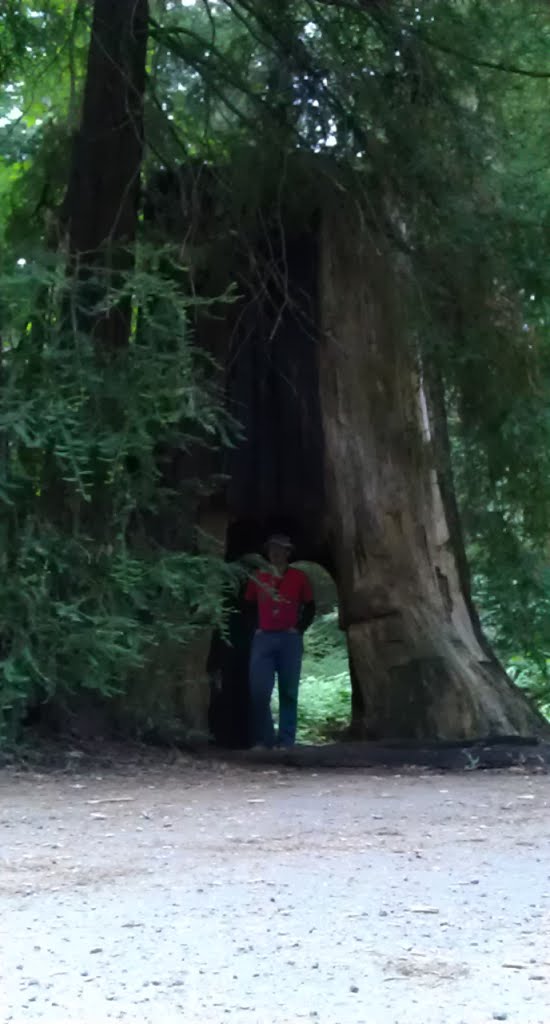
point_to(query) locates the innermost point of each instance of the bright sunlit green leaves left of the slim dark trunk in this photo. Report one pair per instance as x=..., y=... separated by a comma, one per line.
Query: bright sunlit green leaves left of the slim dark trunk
x=43, y=63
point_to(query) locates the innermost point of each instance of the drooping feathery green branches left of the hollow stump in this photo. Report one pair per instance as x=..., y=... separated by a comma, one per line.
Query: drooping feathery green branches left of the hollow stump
x=94, y=581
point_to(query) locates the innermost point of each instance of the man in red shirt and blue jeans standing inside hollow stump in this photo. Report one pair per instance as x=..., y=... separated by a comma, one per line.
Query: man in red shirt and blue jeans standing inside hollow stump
x=285, y=610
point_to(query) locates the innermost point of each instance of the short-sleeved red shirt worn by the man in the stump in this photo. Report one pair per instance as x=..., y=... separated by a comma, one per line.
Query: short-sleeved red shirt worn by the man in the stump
x=280, y=599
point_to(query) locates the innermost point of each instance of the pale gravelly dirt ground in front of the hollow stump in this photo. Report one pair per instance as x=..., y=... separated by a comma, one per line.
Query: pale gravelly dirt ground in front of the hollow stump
x=275, y=899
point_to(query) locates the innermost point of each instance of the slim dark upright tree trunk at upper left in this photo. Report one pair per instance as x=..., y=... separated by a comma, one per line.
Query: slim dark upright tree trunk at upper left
x=102, y=203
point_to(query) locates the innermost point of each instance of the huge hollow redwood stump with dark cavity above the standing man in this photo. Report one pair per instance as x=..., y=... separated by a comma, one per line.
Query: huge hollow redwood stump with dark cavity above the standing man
x=339, y=438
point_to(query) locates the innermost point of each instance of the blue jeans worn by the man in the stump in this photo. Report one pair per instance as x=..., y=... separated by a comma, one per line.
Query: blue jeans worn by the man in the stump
x=281, y=655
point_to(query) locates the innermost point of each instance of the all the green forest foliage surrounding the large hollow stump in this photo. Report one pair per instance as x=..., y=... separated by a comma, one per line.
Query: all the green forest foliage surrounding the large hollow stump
x=437, y=116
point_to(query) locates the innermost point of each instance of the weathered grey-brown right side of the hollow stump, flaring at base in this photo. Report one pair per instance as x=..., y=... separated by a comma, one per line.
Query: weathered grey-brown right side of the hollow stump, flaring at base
x=418, y=658
